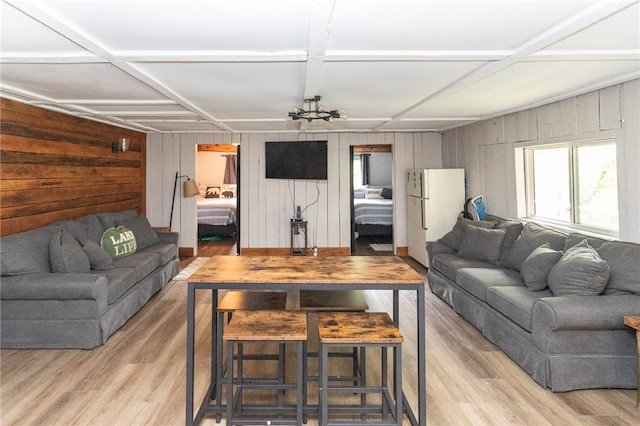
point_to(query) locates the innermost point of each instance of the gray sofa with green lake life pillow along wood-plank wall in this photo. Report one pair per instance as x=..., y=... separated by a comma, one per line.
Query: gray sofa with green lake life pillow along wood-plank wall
x=72, y=284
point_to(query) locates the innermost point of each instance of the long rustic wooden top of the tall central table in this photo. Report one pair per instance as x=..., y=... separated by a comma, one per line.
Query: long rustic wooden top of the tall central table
x=306, y=269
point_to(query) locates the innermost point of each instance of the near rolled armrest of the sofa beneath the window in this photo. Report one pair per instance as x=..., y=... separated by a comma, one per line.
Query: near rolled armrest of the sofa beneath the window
x=583, y=312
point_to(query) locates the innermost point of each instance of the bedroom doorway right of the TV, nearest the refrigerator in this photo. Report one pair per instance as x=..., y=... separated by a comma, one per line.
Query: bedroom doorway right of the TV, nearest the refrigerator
x=372, y=205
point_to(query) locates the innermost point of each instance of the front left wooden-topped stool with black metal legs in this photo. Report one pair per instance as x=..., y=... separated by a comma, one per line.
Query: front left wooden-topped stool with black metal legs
x=260, y=327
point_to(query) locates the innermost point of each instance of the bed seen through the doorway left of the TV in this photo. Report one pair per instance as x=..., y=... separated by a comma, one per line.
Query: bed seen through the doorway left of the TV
x=216, y=217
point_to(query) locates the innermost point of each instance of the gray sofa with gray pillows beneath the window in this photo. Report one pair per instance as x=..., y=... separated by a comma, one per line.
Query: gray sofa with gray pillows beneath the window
x=553, y=302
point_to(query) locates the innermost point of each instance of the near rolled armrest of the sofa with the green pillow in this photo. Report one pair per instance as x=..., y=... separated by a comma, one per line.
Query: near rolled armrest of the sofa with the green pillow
x=55, y=287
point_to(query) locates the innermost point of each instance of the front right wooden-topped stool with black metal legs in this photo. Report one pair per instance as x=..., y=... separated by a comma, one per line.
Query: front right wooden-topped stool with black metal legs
x=361, y=330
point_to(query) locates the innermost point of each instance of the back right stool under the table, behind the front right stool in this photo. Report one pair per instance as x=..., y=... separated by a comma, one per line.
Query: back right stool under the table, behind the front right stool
x=335, y=301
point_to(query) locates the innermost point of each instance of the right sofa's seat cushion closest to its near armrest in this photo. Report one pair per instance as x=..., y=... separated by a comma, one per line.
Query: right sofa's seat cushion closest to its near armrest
x=515, y=303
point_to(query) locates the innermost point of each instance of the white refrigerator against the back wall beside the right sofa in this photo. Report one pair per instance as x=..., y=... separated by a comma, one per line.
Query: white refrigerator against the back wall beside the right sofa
x=435, y=199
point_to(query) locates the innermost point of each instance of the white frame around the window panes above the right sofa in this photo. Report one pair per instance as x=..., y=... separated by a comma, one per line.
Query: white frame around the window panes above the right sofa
x=524, y=169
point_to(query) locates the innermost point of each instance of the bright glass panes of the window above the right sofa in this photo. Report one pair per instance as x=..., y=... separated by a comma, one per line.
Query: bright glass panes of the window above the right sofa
x=574, y=184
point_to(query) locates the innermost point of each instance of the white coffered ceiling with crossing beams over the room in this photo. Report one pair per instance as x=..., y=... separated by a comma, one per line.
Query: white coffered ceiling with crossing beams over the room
x=240, y=66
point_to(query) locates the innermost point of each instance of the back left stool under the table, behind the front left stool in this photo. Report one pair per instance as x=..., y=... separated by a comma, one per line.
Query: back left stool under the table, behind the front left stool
x=250, y=300
